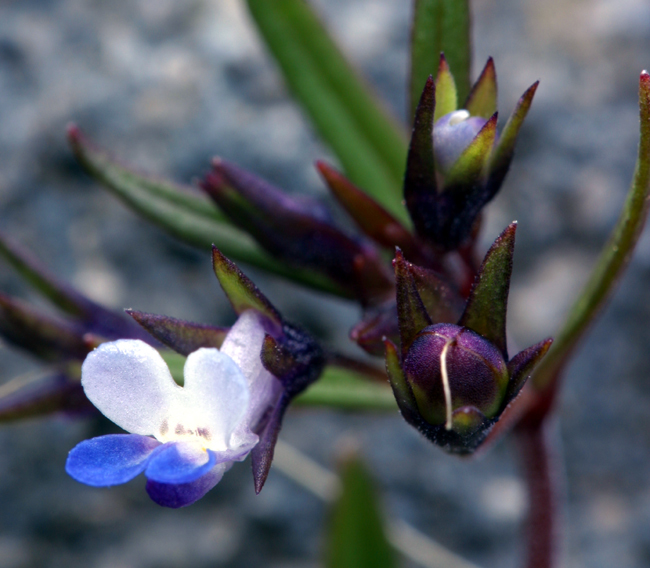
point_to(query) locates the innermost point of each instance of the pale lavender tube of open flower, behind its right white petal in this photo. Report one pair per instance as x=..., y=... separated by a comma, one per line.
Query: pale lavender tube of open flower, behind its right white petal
x=244, y=344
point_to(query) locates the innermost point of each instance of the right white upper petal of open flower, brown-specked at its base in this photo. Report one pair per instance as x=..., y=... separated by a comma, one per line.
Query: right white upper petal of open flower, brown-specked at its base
x=214, y=400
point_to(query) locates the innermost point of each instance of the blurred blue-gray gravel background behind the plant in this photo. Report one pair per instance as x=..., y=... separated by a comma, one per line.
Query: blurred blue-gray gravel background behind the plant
x=167, y=84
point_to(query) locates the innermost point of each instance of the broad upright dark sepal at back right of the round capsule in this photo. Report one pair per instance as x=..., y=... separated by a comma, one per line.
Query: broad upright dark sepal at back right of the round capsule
x=485, y=312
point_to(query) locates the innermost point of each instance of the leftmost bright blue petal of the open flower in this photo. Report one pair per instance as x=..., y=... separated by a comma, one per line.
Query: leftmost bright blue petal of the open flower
x=110, y=460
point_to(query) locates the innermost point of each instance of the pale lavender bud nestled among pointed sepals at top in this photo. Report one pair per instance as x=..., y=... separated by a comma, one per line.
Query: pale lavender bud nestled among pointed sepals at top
x=452, y=134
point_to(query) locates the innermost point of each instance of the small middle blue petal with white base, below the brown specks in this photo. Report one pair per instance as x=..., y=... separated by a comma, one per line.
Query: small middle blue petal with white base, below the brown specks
x=180, y=462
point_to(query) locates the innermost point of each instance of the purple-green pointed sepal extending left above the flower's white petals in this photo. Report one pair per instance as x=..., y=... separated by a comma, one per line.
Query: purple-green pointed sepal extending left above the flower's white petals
x=184, y=337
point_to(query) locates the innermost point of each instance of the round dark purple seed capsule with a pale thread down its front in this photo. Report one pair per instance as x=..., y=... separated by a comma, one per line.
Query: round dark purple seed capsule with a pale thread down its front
x=449, y=367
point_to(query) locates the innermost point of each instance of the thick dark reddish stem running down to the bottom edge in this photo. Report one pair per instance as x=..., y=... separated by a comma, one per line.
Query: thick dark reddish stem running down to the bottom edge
x=537, y=449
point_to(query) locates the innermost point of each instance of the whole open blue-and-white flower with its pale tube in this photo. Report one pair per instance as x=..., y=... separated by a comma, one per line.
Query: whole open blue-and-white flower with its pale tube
x=183, y=438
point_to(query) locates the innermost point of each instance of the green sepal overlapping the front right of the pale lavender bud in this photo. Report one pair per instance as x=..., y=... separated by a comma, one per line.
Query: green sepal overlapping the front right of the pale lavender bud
x=470, y=167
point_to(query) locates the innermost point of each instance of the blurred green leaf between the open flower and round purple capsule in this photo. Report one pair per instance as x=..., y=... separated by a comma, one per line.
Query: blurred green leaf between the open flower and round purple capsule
x=343, y=388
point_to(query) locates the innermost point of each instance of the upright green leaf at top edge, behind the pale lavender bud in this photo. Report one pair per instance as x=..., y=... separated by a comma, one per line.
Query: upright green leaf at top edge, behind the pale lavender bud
x=440, y=26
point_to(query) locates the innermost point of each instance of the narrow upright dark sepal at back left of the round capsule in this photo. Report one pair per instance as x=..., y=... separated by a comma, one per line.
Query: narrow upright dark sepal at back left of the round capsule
x=411, y=313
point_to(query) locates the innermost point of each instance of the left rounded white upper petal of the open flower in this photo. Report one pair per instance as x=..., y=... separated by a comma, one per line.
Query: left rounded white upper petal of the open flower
x=128, y=381
